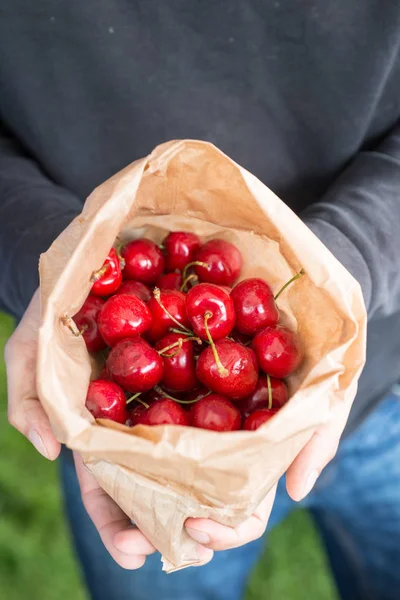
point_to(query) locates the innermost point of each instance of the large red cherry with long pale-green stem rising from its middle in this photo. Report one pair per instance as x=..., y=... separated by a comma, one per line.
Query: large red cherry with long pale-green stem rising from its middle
x=240, y=363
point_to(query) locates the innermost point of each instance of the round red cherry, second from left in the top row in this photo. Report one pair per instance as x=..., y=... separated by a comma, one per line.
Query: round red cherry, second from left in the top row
x=144, y=261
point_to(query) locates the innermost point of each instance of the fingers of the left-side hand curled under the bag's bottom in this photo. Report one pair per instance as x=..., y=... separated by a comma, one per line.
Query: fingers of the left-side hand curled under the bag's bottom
x=126, y=544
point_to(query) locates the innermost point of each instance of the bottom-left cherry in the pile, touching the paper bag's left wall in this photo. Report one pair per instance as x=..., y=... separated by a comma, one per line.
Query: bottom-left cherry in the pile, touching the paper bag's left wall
x=106, y=400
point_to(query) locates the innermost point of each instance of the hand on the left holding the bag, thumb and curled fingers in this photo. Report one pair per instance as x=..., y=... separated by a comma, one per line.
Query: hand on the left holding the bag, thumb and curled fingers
x=126, y=544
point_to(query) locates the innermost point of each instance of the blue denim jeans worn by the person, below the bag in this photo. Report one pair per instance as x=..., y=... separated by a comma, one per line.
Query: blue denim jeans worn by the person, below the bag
x=355, y=504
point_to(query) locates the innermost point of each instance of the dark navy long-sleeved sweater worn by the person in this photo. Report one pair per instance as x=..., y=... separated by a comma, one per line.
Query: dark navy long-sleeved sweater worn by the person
x=303, y=93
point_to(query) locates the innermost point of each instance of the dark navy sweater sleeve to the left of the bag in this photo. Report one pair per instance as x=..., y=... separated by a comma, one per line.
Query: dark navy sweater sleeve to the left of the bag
x=33, y=211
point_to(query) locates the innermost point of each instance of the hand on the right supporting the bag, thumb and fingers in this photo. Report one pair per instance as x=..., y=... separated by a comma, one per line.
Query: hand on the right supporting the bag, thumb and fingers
x=300, y=479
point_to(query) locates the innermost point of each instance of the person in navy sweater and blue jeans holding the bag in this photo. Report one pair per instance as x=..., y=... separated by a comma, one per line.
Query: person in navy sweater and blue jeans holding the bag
x=306, y=96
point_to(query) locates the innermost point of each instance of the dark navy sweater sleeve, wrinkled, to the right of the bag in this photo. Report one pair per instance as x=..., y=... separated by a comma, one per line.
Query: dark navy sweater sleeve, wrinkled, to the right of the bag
x=358, y=219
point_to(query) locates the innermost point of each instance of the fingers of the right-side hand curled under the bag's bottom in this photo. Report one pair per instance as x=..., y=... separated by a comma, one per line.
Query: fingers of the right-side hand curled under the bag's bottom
x=215, y=536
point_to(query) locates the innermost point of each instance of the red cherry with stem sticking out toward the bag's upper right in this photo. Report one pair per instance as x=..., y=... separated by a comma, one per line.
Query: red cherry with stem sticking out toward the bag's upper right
x=255, y=306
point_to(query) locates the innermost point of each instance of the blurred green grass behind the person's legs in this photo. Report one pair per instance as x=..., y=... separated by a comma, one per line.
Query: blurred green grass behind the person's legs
x=36, y=560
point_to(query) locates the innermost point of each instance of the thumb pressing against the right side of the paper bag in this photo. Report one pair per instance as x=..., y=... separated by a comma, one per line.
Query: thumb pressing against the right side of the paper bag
x=316, y=454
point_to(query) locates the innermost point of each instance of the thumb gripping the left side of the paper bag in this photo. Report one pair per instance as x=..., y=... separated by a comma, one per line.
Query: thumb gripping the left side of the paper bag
x=25, y=412
